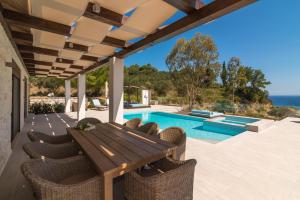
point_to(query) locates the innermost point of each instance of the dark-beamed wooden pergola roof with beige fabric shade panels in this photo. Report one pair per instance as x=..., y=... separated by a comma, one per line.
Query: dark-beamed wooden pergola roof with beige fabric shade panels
x=67, y=38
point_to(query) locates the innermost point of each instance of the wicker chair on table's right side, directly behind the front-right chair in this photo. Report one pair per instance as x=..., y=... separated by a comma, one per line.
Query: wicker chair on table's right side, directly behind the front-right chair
x=176, y=136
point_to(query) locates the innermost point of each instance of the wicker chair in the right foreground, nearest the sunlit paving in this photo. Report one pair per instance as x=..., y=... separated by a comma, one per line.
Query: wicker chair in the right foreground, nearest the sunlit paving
x=168, y=179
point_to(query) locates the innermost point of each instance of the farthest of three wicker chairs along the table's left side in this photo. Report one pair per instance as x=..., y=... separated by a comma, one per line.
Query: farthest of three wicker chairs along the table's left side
x=39, y=136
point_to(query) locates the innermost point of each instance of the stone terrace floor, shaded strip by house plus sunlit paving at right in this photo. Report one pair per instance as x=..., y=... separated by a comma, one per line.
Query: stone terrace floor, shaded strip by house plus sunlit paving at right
x=261, y=165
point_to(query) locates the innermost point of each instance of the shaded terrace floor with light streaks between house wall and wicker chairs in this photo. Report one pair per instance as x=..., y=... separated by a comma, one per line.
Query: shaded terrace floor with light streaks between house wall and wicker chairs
x=13, y=185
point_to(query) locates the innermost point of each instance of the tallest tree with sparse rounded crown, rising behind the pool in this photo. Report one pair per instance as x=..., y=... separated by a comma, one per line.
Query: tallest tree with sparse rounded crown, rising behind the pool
x=193, y=64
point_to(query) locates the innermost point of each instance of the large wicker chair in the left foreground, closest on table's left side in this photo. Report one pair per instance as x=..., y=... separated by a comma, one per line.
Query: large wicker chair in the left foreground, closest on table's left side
x=67, y=179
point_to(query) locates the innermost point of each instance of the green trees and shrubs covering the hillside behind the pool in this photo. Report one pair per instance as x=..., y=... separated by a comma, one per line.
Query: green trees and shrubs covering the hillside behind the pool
x=195, y=79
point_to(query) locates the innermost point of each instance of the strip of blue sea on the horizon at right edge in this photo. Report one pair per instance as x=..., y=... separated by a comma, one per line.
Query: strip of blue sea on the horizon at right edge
x=293, y=101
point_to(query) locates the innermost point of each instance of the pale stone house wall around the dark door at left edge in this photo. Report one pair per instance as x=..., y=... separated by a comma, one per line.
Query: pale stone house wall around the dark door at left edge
x=7, y=54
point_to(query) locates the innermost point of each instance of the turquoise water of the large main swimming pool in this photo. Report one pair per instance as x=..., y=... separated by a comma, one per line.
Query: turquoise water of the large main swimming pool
x=194, y=127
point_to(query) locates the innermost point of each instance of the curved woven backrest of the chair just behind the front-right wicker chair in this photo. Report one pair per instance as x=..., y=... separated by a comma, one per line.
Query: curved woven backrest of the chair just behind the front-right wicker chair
x=174, y=135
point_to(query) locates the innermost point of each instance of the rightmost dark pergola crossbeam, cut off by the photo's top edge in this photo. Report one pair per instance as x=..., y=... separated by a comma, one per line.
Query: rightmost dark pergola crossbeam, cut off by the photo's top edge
x=186, y=6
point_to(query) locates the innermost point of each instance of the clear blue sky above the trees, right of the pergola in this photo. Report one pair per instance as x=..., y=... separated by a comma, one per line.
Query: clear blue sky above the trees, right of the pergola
x=264, y=35
